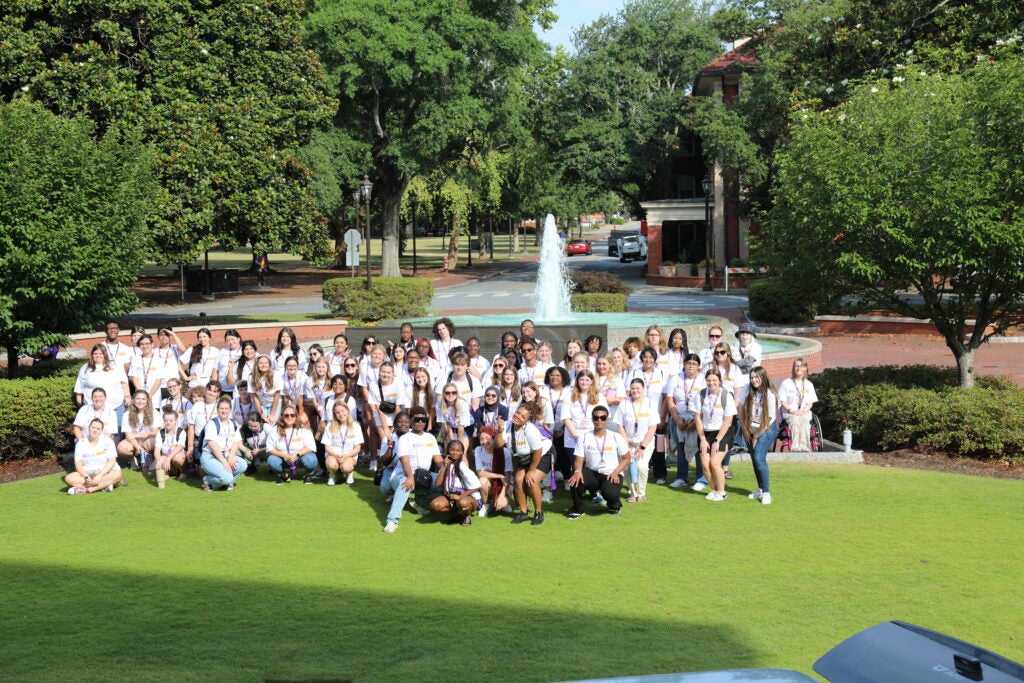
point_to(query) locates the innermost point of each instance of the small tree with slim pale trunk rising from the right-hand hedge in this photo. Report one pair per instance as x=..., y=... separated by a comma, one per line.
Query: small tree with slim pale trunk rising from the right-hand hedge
x=915, y=185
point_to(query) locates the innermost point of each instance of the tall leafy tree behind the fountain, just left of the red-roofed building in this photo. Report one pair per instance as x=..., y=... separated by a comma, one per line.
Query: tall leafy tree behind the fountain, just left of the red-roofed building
x=617, y=125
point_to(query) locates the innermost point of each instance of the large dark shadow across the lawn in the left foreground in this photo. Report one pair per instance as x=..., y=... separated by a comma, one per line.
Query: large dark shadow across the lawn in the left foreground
x=95, y=625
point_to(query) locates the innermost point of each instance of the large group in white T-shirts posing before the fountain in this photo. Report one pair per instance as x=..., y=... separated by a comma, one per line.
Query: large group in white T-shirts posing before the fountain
x=441, y=428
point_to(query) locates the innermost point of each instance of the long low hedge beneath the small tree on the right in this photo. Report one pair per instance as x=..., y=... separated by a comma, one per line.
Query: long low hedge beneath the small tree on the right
x=889, y=408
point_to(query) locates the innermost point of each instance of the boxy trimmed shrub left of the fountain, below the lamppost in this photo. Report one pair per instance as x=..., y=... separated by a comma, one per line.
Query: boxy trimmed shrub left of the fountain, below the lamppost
x=390, y=298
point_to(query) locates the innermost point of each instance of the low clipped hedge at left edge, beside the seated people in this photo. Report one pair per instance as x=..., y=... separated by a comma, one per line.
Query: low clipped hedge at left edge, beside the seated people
x=35, y=417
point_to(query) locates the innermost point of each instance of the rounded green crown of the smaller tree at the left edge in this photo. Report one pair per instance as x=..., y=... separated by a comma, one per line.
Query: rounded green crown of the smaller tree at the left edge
x=73, y=214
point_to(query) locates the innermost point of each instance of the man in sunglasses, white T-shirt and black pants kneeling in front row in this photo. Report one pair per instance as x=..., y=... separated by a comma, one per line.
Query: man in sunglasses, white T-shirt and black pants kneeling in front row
x=602, y=456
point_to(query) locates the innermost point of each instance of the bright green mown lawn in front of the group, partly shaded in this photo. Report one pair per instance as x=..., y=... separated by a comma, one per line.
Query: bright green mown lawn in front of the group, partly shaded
x=300, y=583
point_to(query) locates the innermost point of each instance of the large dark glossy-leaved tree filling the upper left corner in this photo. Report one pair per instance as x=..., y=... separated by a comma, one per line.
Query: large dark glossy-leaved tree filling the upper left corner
x=225, y=92
